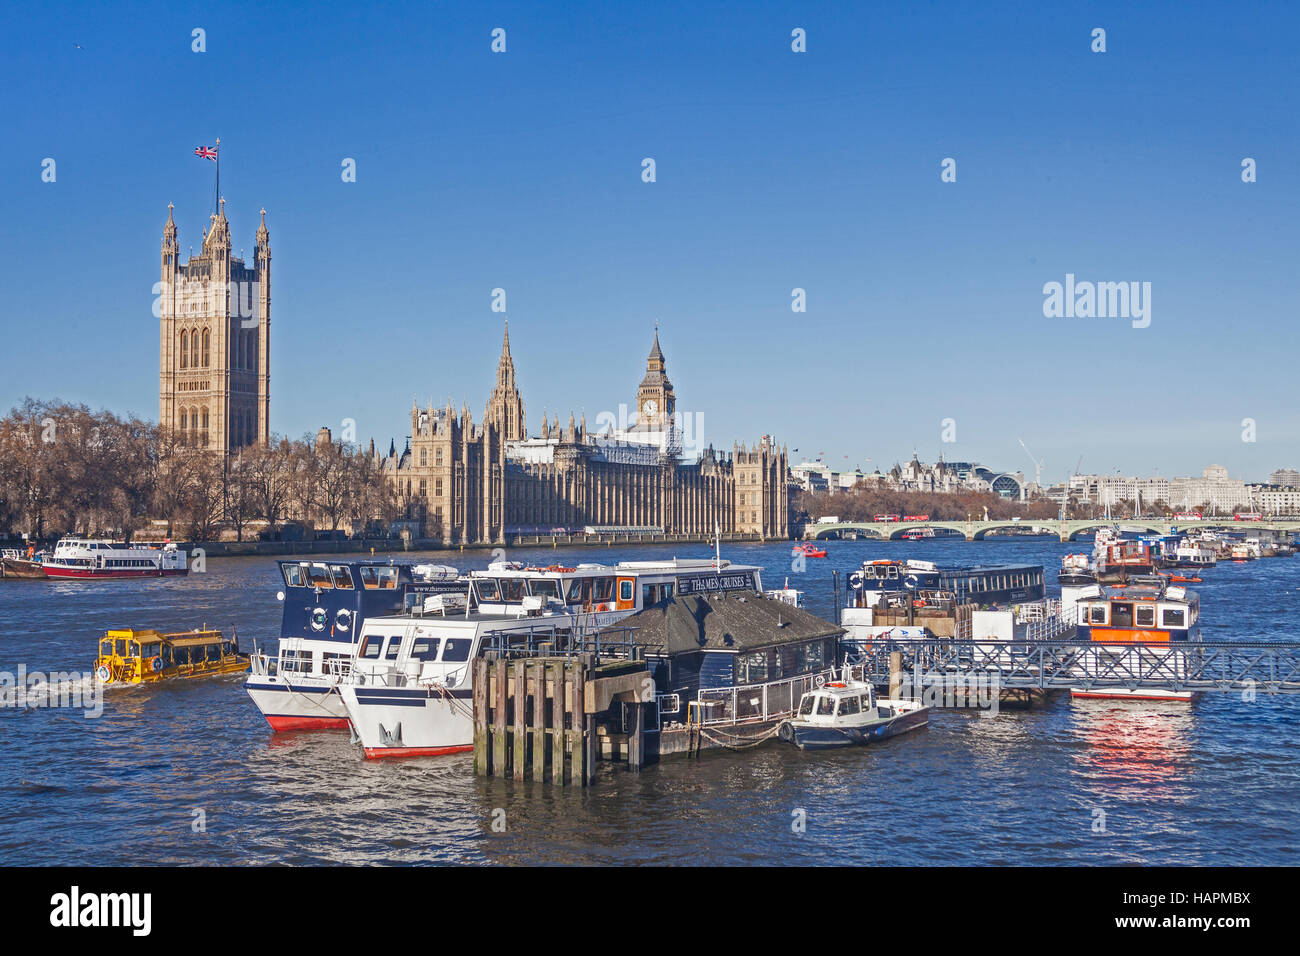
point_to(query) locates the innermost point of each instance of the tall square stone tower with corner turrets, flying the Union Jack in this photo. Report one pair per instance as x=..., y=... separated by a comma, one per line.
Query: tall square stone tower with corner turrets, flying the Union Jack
x=215, y=340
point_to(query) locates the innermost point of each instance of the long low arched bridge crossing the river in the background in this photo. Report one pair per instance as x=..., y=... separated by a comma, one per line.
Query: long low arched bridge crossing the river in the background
x=1064, y=530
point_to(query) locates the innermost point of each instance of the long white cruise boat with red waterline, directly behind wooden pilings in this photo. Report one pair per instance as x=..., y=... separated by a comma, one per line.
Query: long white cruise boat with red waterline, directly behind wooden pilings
x=408, y=689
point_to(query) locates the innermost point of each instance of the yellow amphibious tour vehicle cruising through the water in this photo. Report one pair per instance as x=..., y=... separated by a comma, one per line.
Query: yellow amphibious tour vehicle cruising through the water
x=138, y=657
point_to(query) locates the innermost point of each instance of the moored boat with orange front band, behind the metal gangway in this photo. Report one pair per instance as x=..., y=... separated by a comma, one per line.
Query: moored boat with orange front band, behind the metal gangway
x=1138, y=629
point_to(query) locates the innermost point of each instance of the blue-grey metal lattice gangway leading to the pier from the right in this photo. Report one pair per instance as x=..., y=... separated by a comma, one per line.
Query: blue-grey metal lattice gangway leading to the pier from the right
x=1048, y=665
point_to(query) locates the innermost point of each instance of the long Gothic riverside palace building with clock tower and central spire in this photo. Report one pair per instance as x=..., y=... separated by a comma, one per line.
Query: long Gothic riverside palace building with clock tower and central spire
x=476, y=485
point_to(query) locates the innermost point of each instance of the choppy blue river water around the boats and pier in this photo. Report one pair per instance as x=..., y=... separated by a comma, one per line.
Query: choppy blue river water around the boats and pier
x=1215, y=782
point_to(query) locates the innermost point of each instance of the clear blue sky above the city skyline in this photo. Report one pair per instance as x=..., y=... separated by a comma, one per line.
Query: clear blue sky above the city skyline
x=775, y=171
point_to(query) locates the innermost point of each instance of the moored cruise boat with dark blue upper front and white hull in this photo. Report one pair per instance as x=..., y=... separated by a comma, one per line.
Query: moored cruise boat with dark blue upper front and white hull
x=326, y=603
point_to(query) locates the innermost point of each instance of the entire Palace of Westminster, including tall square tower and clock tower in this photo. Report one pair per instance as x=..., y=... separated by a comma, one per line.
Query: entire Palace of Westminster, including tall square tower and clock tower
x=466, y=483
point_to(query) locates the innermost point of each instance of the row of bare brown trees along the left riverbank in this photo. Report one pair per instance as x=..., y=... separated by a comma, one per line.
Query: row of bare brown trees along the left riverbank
x=66, y=469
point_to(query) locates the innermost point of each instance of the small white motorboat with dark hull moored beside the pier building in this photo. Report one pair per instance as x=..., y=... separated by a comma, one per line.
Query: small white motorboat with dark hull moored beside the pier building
x=847, y=712
